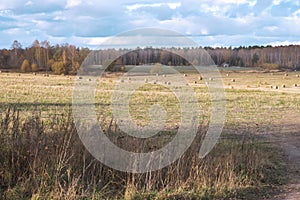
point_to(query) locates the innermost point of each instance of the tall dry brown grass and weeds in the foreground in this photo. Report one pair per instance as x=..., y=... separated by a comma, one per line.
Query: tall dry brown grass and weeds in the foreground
x=45, y=159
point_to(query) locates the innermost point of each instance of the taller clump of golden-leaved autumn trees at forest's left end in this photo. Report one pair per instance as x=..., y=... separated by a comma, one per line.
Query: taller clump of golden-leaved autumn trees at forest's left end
x=41, y=56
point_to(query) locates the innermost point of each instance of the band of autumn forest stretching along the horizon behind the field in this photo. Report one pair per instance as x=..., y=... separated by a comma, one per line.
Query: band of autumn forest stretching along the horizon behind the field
x=66, y=59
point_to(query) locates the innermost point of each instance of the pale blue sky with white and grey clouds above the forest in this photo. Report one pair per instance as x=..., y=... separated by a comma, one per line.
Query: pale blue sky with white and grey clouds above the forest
x=87, y=23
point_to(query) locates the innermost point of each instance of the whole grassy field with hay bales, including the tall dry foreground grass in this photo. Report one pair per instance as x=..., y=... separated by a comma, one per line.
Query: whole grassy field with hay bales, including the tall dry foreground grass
x=42, y=156
